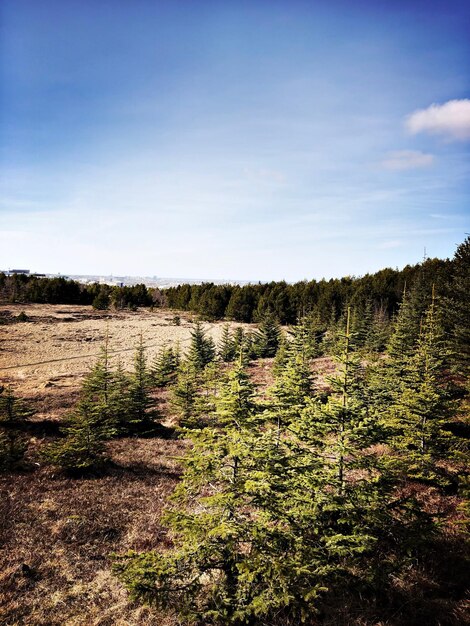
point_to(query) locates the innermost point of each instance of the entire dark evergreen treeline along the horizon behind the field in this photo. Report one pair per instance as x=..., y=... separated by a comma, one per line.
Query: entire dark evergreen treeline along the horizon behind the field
x=376, y=294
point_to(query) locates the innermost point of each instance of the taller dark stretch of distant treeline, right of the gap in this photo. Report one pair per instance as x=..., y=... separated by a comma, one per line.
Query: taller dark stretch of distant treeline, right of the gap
x=381, y=292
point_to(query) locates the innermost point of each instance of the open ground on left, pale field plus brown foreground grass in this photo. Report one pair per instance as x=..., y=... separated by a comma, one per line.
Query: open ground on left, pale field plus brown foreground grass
x=57, y=533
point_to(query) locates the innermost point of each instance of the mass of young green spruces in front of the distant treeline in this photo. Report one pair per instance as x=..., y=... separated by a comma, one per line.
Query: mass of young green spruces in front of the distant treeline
x=300, y=493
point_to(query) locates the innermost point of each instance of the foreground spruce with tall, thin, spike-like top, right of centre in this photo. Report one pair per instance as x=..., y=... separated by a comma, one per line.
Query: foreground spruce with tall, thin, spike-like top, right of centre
x=336, y=493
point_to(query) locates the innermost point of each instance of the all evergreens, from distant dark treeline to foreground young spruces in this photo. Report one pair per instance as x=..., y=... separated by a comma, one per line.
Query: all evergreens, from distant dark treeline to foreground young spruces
x=300, y=498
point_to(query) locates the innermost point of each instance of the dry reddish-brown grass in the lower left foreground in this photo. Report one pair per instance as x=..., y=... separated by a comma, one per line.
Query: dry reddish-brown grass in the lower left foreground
x=63, y=530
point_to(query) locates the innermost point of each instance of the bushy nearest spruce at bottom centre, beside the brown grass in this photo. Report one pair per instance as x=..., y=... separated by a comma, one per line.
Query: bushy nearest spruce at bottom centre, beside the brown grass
x=233, y=561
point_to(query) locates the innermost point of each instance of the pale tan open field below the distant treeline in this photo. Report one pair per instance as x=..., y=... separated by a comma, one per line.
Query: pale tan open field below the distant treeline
x=58, y=343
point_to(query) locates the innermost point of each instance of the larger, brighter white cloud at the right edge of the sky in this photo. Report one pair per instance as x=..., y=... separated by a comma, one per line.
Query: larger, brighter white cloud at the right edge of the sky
x=451, y=119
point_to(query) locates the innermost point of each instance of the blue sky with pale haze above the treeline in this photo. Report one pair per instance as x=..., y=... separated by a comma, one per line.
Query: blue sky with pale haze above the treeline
x=256, y=140
